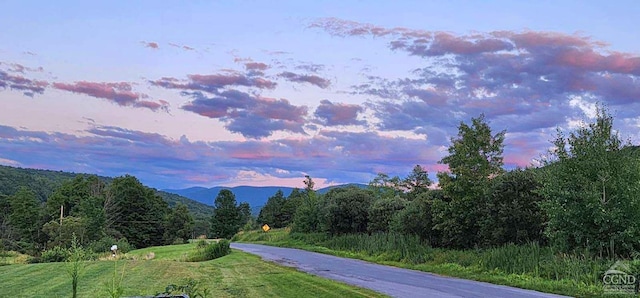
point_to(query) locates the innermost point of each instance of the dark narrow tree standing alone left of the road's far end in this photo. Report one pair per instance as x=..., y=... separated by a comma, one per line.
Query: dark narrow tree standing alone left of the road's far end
x=226, y=219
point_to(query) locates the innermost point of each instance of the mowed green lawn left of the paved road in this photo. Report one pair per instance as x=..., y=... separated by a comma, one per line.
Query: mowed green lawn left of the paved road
x=236, y=275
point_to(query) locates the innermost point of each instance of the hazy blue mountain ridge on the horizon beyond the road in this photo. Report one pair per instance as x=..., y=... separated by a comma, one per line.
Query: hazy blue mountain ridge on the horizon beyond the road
x=256, y=196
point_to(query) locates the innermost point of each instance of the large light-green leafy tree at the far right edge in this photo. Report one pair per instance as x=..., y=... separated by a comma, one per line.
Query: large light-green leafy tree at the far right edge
x=591, y=185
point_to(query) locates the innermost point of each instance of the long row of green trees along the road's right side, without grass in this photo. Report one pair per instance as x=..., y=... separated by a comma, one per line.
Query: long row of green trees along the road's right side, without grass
x=585, y=196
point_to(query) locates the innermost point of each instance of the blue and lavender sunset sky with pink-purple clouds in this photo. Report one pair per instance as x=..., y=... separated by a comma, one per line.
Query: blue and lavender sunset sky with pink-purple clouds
x=262, y=93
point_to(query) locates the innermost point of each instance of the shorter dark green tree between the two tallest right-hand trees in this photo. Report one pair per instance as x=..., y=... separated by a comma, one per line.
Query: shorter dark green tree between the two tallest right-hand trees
x=512, y=213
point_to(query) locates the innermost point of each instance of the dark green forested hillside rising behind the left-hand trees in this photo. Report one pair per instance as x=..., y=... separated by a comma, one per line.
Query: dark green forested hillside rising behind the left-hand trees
x=44, y=182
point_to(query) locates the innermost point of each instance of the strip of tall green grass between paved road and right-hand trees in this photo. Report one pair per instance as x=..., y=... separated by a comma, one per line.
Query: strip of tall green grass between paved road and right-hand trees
x=528, y=266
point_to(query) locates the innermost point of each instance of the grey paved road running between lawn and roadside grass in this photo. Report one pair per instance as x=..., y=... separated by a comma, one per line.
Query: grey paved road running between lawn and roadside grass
x=396, y=282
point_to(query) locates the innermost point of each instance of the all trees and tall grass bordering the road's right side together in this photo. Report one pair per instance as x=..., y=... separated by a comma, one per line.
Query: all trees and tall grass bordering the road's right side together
x=555, y=228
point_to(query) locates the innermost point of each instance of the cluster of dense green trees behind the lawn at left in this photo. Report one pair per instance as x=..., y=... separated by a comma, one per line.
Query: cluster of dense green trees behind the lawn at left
x=95, y=212
